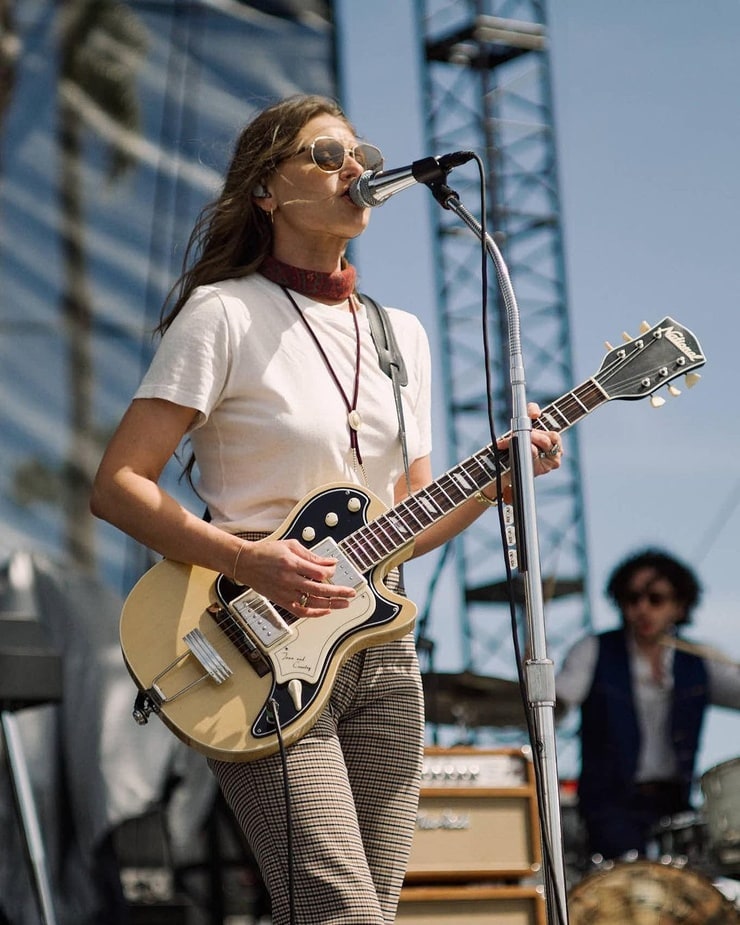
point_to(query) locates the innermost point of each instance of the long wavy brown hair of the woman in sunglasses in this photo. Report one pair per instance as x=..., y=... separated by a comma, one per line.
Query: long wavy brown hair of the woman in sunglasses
x=232, y=235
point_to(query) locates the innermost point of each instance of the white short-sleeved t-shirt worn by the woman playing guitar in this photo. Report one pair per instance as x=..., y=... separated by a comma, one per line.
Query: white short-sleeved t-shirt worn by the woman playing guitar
x=272, y=424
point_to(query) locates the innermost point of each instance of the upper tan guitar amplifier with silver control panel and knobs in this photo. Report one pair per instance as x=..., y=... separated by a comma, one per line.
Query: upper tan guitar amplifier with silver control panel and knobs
x=477, y=817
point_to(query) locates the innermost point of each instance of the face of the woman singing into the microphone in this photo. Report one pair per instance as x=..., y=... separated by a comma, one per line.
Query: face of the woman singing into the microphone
x=312, y=213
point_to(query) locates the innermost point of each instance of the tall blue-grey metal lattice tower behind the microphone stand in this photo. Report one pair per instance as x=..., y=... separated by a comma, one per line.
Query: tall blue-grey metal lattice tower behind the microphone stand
x=487, y=89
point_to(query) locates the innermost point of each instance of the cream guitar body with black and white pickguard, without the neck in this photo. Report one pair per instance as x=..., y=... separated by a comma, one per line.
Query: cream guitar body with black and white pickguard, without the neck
x=217, y=659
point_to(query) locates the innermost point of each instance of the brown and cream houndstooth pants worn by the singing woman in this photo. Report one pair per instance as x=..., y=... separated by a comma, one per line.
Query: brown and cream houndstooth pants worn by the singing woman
x=354, y=788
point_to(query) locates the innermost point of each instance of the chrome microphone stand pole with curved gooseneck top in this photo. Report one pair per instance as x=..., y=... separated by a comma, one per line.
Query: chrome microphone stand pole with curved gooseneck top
x=539, y=675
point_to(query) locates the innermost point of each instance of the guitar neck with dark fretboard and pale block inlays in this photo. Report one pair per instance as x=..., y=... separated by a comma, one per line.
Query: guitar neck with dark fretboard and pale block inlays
x=377, y=541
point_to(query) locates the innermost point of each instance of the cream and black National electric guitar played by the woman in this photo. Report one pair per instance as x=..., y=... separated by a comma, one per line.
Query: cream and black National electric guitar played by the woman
x=218, y=662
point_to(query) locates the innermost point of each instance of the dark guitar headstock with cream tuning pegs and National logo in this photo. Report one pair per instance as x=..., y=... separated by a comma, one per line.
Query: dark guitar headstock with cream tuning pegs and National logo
x=650, y=361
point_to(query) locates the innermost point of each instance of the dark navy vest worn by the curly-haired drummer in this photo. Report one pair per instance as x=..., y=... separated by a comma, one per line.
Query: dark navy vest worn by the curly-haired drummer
x=610, y=735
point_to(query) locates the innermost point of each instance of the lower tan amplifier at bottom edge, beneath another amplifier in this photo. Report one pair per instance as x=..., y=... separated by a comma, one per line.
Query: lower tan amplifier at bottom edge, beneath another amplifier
x=489, y=905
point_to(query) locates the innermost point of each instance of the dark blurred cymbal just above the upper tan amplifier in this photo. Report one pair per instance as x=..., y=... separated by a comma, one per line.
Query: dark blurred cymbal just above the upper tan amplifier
x=468, y=699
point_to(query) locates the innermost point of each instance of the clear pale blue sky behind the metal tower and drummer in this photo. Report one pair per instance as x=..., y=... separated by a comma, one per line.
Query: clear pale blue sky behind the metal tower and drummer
x=648, y=137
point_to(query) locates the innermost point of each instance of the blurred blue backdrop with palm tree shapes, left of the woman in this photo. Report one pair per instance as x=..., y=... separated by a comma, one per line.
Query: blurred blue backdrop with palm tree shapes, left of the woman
x=116, y=122
